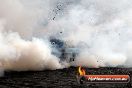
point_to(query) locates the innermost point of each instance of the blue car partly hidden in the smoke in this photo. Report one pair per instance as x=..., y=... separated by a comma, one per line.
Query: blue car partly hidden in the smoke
x=63, y=51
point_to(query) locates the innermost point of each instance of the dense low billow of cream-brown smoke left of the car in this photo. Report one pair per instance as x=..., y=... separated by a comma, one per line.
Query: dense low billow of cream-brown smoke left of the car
x=19, y=54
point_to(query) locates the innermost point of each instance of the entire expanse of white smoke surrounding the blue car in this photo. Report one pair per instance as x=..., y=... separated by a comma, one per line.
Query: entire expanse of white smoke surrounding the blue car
x=100, y=29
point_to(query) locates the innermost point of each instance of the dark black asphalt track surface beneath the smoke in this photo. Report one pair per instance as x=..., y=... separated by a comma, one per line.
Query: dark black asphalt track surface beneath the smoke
x=61, y=78
